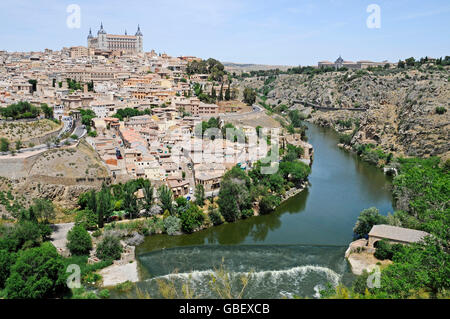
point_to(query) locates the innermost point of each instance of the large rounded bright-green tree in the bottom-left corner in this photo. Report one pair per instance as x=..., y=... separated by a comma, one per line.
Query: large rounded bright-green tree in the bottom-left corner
x=38, y=273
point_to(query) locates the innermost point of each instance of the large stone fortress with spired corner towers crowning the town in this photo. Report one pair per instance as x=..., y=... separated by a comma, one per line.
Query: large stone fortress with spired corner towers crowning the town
x=113, y=42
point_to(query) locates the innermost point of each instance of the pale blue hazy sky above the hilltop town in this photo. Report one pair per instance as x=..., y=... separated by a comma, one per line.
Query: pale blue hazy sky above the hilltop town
x=278, y=32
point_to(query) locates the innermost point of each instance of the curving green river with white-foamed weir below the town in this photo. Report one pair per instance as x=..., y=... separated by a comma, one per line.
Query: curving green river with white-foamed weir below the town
x=291, y=252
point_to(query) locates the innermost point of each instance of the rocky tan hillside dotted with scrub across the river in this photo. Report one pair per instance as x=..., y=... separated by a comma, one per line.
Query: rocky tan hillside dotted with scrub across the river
x=403, y=106
